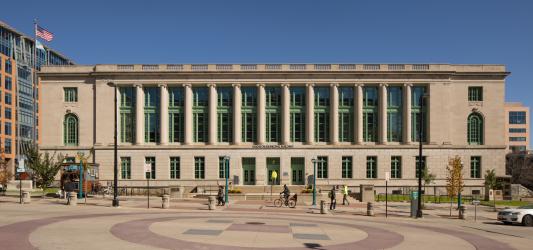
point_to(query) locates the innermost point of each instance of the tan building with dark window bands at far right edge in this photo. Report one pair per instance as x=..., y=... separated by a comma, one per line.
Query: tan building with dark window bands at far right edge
x=517, y=124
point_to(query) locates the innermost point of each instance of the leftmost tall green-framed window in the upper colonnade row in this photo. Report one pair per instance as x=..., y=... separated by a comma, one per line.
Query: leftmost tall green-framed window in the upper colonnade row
x=127, y=114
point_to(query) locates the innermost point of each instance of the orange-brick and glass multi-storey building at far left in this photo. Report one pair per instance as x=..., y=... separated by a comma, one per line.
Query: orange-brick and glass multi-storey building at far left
x=19, y=96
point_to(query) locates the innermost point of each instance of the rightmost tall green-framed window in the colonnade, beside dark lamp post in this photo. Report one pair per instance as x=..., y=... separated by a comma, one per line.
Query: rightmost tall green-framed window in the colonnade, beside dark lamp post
x=416, y=112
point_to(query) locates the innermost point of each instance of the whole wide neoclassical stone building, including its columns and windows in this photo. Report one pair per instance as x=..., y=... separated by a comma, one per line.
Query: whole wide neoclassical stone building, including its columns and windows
x=358, y=121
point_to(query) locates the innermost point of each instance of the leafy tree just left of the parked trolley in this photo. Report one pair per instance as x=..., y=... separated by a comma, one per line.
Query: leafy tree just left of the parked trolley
x=44, y=166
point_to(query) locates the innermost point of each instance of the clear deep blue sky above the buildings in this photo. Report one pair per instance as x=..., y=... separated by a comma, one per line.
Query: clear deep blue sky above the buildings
x=409, y=31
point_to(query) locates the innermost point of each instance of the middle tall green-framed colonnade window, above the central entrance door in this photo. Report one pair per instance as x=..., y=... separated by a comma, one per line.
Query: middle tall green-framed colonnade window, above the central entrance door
x=273, y=114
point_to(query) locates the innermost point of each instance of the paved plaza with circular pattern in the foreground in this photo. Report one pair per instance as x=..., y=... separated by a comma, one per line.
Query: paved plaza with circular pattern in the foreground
x=49, y=224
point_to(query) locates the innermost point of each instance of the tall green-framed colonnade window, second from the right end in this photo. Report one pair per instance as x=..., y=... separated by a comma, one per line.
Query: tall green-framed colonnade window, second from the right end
x=394, y=114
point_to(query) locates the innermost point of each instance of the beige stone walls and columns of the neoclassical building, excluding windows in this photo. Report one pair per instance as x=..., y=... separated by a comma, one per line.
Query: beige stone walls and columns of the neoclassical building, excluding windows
x=448, y=111
